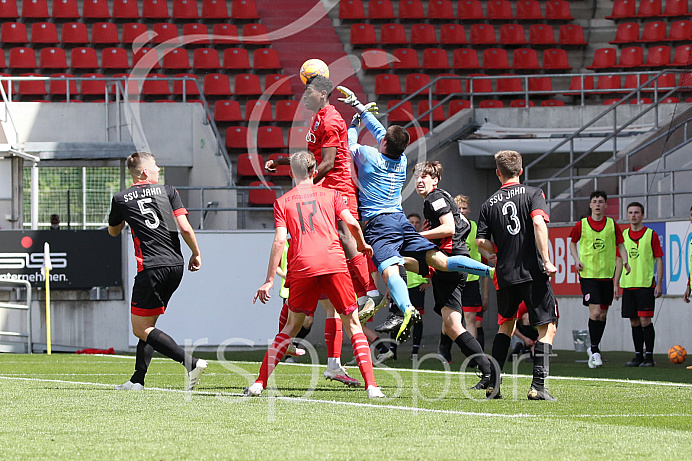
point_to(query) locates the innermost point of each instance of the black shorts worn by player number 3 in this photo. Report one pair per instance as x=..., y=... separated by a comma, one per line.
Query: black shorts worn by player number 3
x=538, y=296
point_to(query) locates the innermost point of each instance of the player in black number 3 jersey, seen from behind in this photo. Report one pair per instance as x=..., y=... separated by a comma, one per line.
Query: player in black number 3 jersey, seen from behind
x=515, y=218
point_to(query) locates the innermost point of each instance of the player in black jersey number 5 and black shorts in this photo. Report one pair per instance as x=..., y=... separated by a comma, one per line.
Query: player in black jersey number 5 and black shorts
x=153, y=210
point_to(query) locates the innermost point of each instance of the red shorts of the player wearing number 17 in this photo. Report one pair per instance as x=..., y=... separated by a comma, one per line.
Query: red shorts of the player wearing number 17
x=305, y=292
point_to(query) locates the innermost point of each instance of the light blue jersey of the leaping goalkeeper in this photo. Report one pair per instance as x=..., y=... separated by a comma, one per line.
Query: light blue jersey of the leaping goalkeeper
x=380, y=178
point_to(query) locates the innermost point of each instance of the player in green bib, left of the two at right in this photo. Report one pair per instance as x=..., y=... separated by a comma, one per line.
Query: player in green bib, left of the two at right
x=599, y=238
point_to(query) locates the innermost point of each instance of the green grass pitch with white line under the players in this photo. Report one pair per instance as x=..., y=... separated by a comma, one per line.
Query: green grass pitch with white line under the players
x=63, y=407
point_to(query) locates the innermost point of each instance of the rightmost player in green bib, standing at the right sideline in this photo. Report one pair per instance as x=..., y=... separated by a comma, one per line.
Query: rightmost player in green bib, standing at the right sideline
x=640, y=290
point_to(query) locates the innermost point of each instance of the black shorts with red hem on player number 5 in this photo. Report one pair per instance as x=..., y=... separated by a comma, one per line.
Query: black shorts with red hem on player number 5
x=153, y=289
